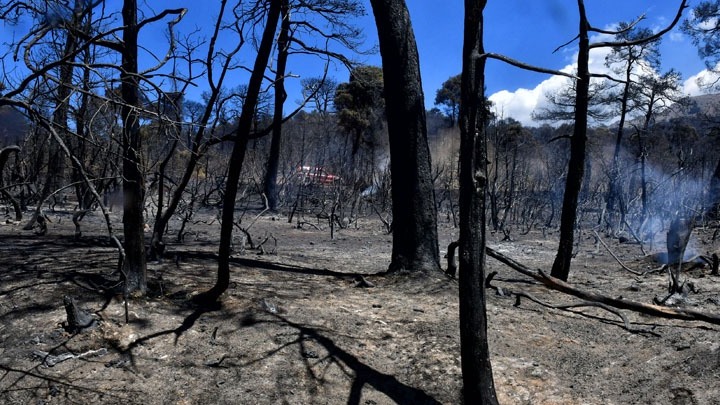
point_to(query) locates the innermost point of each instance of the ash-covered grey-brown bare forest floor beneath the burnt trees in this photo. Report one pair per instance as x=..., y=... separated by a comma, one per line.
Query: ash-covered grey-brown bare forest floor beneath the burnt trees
x=295, y=329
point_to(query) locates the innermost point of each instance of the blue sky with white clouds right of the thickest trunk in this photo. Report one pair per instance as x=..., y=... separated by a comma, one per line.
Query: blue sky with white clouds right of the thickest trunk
x=530, y=31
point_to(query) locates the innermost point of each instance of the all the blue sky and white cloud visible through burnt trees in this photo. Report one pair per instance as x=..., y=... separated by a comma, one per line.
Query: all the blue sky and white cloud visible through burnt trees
x=527, y=30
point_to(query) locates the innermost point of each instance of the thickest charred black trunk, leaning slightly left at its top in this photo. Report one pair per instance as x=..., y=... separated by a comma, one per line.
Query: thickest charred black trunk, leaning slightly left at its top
x=415, y=238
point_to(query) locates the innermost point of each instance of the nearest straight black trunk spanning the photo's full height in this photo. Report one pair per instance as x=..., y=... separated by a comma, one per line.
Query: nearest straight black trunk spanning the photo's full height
x=478, y=386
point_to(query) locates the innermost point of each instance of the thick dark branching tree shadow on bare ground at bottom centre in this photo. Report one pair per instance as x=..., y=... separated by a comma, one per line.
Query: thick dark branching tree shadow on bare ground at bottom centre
x=363, y=374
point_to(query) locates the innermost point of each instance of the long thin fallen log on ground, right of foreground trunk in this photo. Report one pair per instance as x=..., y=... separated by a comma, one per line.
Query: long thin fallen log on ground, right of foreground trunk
x=621, y=303
